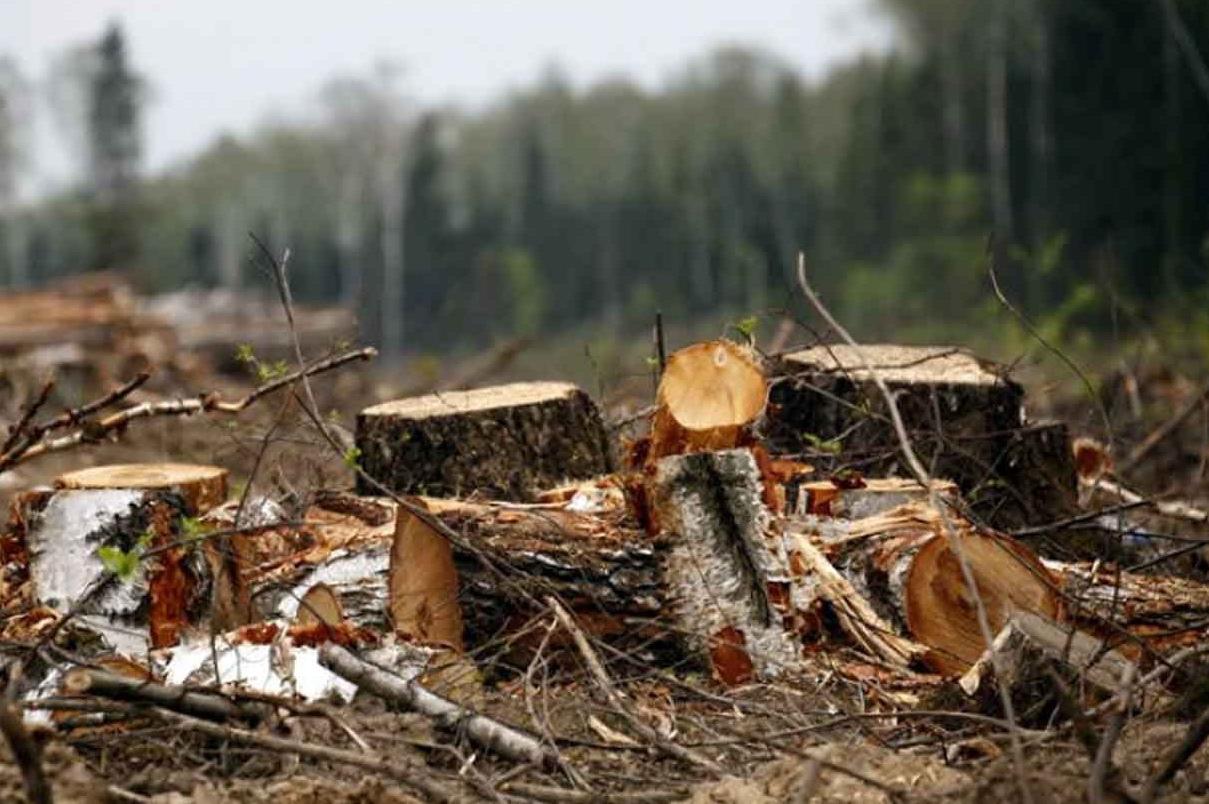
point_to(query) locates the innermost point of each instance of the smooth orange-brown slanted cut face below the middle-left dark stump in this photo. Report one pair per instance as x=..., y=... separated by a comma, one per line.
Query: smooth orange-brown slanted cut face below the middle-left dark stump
x=424, y=586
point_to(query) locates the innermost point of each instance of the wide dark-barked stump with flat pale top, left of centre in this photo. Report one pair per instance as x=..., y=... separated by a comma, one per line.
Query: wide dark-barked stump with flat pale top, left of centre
x=504, y=443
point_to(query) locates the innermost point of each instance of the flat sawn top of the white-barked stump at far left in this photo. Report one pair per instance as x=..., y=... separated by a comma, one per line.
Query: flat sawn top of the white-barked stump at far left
x=203, y=488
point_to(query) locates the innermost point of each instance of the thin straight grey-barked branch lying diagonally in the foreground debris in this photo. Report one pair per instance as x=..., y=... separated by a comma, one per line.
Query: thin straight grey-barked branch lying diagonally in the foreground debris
x=494, y=736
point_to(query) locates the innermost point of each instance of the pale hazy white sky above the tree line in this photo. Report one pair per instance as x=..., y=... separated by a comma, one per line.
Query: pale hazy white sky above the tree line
x=227, y=65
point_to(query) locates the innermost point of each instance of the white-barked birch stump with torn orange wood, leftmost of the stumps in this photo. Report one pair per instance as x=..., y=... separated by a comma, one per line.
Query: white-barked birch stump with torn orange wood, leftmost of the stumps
x=129, y=518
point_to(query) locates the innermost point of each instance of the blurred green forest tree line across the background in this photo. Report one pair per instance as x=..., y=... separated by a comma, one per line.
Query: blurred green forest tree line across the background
x=1075, y=131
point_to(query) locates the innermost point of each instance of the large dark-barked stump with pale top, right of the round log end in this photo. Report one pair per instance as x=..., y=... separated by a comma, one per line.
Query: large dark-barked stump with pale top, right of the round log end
x=961, y=409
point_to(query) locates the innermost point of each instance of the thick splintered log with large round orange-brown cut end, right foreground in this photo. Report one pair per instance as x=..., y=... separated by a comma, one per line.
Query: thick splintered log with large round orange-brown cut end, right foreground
x=901, y=562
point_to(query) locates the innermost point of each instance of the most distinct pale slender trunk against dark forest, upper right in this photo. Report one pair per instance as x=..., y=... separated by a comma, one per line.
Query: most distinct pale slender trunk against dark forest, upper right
x=997, y=126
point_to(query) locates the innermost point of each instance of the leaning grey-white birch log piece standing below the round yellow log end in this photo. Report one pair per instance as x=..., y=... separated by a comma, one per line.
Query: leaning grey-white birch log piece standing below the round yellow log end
x=721, y=564
